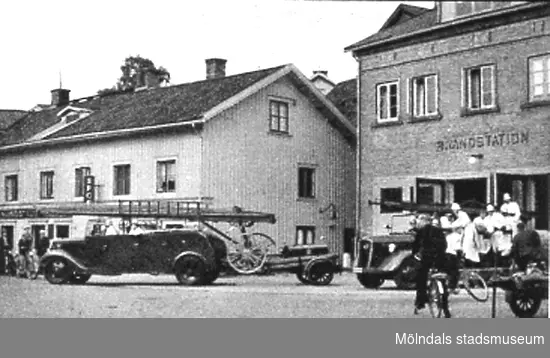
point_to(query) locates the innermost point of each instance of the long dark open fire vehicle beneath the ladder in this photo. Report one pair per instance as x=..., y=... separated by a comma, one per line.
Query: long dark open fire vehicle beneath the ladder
x=193, y=256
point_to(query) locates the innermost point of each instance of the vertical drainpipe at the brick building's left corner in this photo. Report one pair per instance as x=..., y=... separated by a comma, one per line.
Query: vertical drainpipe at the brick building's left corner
x=358, y=151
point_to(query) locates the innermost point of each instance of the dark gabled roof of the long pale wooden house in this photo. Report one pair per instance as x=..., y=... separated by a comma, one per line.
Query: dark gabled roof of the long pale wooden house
x=165, y=107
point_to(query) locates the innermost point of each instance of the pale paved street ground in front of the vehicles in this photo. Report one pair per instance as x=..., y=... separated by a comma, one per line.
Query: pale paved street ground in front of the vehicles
x=253, y=296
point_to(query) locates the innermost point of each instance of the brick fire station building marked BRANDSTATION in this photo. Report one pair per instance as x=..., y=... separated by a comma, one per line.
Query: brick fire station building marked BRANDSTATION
x=454, y=107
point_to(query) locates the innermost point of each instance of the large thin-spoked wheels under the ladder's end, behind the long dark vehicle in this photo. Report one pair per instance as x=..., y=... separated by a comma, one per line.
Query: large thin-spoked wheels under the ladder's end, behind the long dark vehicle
x=249, y=255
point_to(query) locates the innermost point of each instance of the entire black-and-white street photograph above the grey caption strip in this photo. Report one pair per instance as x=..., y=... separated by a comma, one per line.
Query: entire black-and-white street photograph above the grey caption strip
x=274, y=159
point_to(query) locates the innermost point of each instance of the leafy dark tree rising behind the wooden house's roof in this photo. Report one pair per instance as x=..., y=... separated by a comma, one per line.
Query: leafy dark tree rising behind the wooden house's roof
x=133, y=67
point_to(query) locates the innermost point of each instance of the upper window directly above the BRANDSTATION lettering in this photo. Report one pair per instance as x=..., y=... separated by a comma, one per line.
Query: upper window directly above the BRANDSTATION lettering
x=480, y=87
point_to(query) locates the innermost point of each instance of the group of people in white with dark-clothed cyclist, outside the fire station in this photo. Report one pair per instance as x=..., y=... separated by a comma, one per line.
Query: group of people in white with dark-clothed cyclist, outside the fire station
x=444, y=242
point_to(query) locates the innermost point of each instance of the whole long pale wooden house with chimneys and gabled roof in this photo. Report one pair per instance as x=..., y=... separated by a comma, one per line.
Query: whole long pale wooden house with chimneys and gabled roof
x=266, y=140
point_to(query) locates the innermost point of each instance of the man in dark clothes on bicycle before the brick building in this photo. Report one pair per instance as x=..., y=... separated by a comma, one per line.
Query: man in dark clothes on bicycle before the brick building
x=430, y=246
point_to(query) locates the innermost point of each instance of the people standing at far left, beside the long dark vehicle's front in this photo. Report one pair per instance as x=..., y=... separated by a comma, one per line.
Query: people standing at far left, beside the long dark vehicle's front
x=29, y=251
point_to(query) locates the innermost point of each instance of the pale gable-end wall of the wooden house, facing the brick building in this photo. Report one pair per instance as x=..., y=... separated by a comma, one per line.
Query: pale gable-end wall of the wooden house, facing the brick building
x=246, y=165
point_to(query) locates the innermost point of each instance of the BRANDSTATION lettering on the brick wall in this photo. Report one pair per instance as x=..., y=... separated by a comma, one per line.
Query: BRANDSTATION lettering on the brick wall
x=500, y=139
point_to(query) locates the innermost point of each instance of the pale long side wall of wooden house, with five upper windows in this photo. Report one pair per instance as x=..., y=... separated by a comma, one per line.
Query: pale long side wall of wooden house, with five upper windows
x=140, y=153
